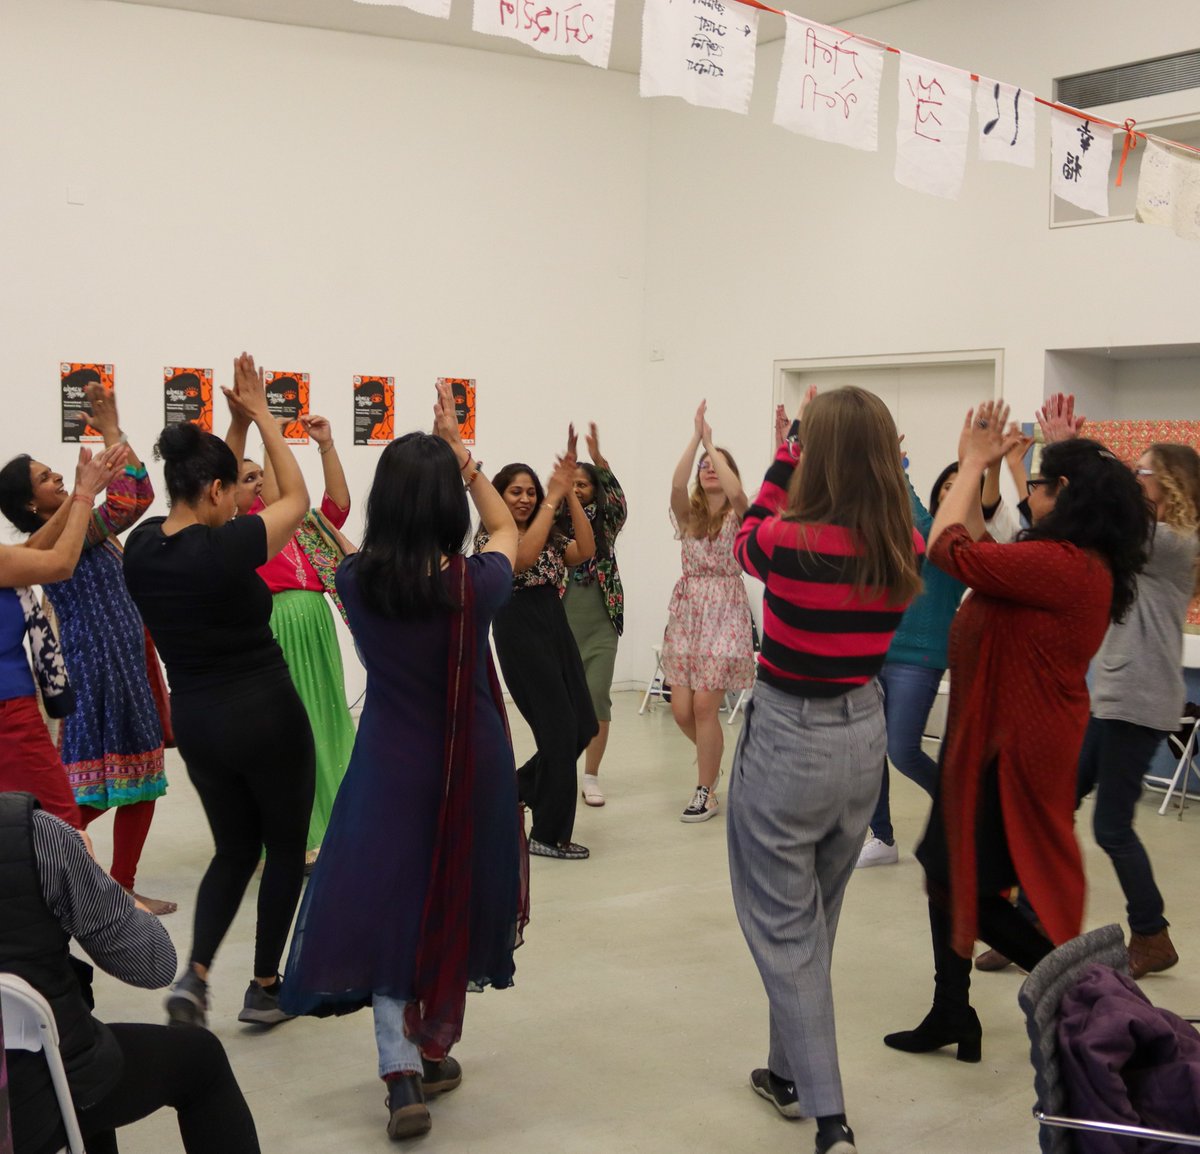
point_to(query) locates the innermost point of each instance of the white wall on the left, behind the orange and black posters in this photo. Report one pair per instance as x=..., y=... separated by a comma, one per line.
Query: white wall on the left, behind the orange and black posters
x=333, y=203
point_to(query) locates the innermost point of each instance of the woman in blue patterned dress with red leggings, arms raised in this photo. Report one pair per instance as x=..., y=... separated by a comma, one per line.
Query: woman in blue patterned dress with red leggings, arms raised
x=112, y=744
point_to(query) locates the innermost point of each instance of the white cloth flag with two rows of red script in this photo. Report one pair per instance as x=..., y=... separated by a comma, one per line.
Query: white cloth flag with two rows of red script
x=830, y=86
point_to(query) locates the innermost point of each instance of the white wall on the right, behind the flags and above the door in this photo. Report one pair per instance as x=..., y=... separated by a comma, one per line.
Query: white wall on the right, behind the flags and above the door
x=765, y=245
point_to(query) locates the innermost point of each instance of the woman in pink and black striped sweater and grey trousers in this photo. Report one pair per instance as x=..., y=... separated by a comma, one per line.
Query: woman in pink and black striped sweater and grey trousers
x=832, y=538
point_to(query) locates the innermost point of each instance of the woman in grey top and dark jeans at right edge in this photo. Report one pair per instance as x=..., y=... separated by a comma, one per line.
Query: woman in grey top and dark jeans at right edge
x=1138, y=694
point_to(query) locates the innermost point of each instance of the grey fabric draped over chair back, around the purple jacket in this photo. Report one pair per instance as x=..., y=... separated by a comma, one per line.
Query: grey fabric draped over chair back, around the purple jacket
x=1040, y=997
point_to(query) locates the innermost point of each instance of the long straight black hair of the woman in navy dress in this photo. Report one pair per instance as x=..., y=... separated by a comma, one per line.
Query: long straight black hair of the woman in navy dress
x=417, y=515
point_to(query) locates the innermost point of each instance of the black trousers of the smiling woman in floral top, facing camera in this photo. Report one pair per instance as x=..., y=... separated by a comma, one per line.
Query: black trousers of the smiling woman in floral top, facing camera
x=545, y=676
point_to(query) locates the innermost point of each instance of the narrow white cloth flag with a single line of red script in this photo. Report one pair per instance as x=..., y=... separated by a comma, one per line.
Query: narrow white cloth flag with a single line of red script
x=933, y=127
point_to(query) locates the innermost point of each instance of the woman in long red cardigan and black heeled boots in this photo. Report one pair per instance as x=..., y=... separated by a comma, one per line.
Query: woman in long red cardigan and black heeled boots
x=1019, y=653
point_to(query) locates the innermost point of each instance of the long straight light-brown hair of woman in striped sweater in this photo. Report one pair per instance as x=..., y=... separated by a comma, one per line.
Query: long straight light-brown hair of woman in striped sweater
x=850, y=476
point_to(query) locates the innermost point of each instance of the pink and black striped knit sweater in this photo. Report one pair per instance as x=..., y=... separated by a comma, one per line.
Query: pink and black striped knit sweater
x=820, y=638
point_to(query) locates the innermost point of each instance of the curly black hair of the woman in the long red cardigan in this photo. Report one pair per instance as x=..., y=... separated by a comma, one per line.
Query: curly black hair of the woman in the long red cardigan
x=1101, y=508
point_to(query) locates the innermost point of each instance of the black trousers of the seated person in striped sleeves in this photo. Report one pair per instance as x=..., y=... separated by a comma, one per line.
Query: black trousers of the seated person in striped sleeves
x=172, y=1066
